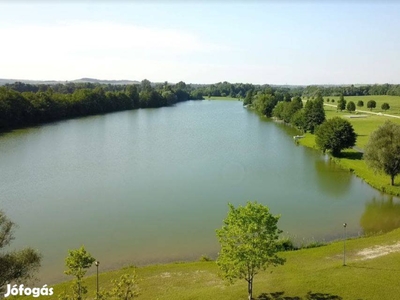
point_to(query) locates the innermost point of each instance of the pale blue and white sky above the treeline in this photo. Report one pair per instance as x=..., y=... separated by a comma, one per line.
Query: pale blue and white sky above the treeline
x=259, y=42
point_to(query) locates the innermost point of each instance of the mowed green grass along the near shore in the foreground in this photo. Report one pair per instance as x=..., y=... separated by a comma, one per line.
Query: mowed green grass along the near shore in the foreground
x=317, y=271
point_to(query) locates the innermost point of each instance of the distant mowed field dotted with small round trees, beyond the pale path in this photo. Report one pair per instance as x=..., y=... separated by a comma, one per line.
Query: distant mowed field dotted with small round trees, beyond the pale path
x=394, y=102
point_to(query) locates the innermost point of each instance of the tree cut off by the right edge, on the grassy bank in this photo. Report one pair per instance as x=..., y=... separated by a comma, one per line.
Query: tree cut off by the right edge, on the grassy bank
x=382, y=152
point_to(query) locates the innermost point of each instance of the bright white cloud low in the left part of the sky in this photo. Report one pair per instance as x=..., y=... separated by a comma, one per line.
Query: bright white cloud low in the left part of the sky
x=96, y=49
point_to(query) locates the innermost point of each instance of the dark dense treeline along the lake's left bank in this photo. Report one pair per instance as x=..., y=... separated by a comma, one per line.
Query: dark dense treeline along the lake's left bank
x=38, y=104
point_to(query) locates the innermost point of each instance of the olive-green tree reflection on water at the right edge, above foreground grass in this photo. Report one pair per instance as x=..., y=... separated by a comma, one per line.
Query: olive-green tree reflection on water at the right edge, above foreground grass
x=381, y=215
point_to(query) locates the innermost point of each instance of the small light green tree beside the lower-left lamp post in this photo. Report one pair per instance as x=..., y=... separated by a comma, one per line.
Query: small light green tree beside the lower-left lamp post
x=77, y=263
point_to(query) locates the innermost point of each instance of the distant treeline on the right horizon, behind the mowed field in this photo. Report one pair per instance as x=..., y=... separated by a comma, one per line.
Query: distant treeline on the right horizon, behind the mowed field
x=376, y=89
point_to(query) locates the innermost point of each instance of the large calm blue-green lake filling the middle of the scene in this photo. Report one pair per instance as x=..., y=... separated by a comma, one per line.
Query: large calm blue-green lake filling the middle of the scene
x=152, y=185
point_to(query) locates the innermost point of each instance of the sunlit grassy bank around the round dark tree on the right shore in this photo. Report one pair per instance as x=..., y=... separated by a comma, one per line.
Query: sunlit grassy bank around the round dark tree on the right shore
x=351, y=159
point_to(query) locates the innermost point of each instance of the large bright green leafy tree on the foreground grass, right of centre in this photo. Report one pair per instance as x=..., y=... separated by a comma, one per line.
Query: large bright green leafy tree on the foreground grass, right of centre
x=248, y=241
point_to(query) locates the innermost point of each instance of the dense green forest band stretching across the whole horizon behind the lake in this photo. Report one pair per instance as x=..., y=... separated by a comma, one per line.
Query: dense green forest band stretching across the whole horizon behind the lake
x=24, y=104
